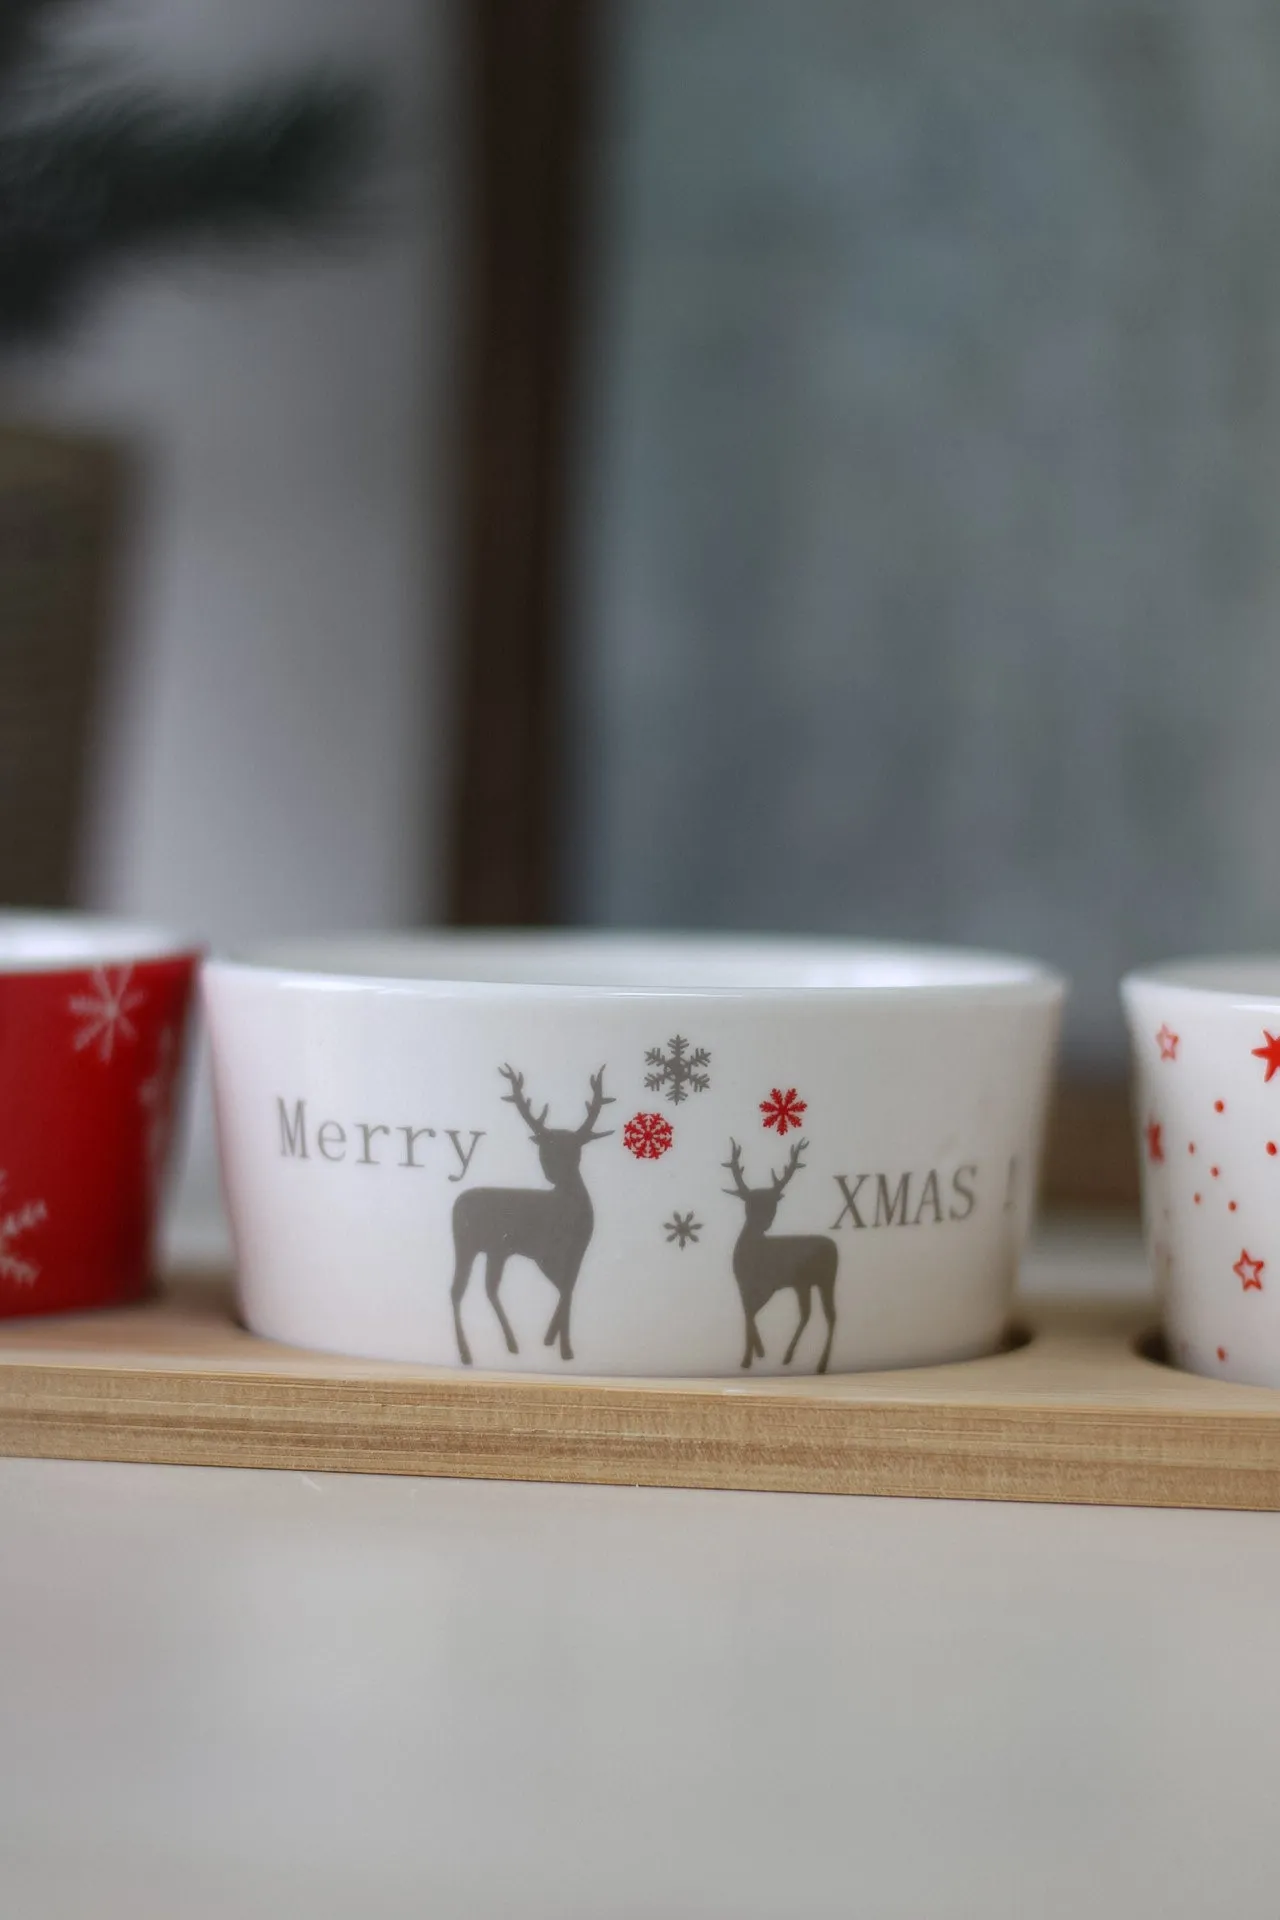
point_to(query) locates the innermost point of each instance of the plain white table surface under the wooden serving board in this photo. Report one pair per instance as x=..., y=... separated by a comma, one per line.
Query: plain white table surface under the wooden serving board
x=266, y=1694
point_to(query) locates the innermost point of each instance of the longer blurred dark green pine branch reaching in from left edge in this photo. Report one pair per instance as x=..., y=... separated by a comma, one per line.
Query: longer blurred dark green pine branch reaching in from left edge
x=133, y=176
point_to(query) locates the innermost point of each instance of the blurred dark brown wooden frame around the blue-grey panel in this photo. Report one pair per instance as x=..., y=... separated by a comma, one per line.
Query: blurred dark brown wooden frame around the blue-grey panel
x=533, y=76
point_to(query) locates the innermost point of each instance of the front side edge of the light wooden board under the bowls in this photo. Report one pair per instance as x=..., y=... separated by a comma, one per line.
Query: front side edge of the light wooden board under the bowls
x=1079, y=1456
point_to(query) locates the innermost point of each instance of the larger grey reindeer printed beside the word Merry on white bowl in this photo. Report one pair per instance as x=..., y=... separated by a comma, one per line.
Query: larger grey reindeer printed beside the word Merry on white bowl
x=548, y=1226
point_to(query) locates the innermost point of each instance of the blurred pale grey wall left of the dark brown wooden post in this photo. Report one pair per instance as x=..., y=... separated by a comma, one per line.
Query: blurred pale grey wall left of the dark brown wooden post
x=272, y=721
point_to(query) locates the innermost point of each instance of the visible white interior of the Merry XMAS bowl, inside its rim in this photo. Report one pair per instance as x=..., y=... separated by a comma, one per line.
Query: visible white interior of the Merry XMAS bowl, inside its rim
x=621, y=963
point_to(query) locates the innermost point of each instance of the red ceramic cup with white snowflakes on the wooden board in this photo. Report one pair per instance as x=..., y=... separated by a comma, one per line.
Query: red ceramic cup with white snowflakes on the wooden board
x=93, y=1024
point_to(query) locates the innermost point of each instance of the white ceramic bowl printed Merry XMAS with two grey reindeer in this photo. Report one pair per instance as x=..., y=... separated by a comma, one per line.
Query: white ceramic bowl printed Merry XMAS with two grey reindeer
x=634, y=1157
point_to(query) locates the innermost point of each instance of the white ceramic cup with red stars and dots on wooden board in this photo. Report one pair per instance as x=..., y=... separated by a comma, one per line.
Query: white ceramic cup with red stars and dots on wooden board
x=1206, y=1042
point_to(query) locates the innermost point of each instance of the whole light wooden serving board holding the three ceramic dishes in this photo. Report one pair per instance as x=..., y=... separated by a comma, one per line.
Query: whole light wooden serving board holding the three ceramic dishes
x=1078, y=1414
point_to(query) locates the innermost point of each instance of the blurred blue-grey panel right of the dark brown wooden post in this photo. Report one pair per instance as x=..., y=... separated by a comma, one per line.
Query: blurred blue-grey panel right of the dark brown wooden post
x=930, y=565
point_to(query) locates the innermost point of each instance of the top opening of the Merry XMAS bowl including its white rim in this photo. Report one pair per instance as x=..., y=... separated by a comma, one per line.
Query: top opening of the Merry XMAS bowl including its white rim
x=619, y=967
